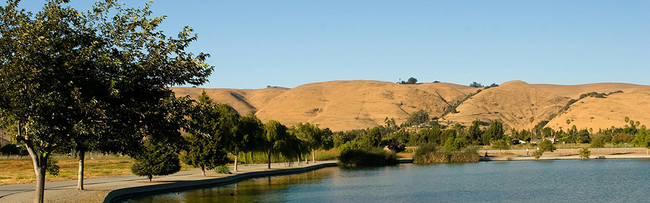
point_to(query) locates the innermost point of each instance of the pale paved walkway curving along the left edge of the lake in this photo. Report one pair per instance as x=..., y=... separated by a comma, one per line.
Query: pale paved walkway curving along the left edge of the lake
x=97, y=189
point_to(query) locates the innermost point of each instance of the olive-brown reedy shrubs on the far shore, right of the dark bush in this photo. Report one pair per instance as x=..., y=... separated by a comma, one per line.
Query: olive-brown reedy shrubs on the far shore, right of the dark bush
x=430, y=155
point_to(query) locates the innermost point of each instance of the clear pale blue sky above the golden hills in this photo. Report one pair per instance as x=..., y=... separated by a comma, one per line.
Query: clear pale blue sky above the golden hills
x=289, y=43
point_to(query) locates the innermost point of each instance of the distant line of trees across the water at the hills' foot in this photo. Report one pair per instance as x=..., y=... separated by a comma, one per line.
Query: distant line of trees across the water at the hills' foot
x=483, y=133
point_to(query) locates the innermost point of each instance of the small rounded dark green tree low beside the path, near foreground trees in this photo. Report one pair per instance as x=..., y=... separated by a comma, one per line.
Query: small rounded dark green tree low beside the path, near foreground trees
x=156, y=160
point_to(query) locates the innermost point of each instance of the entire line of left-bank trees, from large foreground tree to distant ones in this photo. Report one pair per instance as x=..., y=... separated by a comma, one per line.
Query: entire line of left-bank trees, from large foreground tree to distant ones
x=73, y=81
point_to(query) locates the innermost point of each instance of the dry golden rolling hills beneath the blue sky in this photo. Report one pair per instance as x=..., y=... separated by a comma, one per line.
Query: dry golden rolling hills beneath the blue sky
x=345, y=105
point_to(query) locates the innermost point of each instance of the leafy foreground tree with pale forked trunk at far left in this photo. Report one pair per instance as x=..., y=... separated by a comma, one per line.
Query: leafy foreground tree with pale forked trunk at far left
x=42, y=90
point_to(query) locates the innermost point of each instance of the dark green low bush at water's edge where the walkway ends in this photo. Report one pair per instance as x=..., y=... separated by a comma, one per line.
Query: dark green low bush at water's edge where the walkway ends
x=367, y=157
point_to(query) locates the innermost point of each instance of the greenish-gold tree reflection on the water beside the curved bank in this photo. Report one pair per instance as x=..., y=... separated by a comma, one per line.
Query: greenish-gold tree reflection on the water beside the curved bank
x=253, y=190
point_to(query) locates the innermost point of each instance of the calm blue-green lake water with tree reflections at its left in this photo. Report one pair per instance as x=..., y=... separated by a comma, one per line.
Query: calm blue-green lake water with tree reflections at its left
x=513, y=181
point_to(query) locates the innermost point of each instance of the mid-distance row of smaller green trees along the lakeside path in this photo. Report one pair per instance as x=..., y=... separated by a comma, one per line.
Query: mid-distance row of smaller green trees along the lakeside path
x=214, y=129
